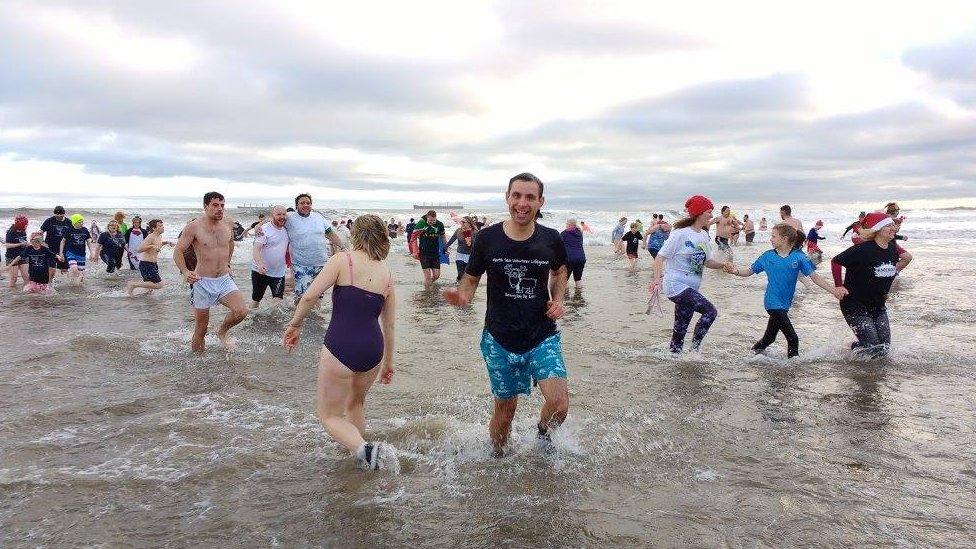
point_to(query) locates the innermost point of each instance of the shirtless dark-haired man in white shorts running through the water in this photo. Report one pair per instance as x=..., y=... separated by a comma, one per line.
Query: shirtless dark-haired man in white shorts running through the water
x=212, y=240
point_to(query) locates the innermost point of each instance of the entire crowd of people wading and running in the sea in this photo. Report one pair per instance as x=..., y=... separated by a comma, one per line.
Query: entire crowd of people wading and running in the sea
x=528, y=267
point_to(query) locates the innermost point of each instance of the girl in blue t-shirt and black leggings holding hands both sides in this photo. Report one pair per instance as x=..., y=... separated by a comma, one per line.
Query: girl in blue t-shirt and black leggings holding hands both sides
x=783, y=266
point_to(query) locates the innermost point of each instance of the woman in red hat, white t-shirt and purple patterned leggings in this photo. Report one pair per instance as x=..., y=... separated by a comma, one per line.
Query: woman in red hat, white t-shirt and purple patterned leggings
x=681, y=263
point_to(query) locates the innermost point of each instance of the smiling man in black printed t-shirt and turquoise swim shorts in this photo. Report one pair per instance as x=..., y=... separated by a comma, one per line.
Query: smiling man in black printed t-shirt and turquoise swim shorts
x=526, y=266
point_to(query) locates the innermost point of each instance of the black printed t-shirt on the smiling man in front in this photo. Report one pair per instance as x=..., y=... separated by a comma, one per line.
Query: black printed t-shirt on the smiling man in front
x=518, y=283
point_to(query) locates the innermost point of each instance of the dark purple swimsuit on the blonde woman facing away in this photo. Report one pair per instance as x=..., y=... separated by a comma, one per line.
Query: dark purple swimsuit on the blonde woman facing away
x=354, y=336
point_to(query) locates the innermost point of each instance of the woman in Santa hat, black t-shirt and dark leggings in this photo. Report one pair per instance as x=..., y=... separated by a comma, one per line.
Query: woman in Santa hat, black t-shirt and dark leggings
x=871, y=269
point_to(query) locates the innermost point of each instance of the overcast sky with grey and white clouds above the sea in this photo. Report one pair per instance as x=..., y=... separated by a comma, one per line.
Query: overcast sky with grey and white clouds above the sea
x=388, y=103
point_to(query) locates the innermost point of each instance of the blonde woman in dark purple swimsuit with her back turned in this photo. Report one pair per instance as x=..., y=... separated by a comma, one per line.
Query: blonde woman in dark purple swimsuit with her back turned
x=355, y=343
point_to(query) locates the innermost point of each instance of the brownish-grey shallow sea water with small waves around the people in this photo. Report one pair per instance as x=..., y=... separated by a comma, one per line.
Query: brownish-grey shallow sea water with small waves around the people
x=113, y=434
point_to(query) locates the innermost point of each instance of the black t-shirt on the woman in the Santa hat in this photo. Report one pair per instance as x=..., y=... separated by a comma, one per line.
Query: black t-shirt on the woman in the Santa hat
x=870, y=271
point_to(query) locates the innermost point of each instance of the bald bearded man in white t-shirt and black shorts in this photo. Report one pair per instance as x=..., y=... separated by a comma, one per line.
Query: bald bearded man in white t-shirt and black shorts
x=268, y=263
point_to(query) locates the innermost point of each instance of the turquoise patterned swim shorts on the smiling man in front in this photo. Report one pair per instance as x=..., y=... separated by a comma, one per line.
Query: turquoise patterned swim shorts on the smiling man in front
x=512, y=374
